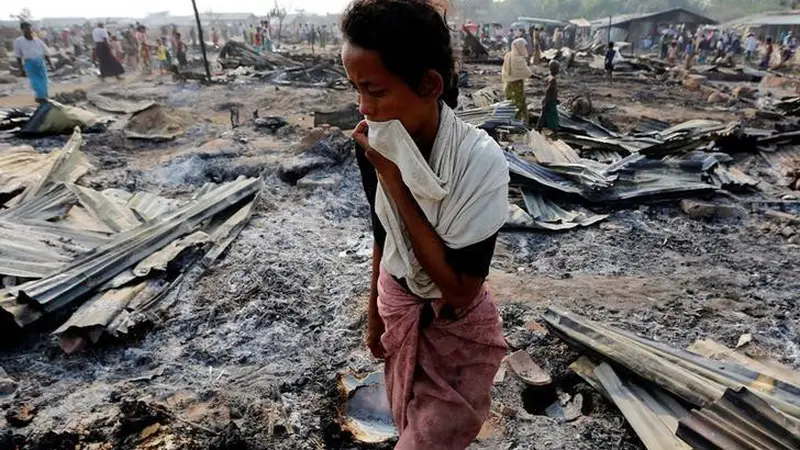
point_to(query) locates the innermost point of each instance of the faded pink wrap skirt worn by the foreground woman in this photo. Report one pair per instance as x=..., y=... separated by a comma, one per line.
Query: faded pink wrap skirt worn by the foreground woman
x=438, y=379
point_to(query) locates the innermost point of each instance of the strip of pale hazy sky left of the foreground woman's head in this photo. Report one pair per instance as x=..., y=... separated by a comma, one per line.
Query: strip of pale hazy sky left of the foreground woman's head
x=138, y=8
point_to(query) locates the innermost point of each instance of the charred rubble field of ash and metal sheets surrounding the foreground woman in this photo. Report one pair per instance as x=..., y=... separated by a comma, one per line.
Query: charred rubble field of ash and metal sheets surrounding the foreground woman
x=264, y=333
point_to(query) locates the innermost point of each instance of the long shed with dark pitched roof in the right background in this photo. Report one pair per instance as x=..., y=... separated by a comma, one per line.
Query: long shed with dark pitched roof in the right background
x=634, y=28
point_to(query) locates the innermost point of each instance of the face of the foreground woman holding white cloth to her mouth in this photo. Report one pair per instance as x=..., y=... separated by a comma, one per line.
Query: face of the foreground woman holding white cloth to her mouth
x=384, y=96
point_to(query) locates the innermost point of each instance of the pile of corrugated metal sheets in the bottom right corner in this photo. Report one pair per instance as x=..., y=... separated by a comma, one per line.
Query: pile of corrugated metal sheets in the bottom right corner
x=731, y=395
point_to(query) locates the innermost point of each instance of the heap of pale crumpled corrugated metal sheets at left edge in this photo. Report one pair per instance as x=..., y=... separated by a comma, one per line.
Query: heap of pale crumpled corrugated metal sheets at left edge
x=120, y=252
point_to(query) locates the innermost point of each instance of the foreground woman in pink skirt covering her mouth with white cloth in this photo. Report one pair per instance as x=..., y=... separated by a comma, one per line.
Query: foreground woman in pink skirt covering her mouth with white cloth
x=437, y=189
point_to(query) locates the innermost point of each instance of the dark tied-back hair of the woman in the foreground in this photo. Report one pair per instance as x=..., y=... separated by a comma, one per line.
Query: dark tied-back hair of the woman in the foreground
x=411, y=37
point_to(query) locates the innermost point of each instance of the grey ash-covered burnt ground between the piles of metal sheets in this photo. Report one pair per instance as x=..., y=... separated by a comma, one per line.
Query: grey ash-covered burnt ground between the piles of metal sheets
x=259, y=339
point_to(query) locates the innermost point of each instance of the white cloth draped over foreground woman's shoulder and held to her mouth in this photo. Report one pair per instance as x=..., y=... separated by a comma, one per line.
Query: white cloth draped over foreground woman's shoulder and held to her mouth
x=462, y=190
